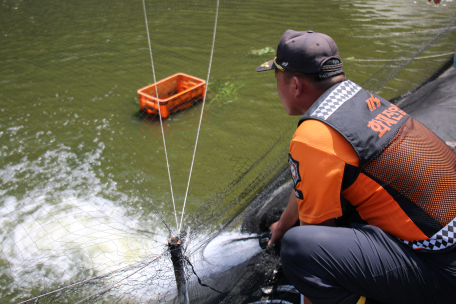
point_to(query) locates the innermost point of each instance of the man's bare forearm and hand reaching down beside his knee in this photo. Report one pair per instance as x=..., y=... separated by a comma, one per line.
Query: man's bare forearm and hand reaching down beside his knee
x=289, y=218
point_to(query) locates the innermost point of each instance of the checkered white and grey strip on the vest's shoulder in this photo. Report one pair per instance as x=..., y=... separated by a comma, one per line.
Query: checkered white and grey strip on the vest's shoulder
x=335, y=99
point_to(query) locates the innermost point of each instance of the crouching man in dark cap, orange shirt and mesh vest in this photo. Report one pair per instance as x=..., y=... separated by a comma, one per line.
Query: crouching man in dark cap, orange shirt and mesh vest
x=374, y=190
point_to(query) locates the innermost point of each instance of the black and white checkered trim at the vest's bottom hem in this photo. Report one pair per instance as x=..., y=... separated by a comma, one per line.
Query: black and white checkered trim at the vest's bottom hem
x=441, y=240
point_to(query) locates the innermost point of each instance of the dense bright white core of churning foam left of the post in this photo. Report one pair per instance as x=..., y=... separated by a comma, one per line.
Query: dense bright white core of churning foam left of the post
x=58, y=241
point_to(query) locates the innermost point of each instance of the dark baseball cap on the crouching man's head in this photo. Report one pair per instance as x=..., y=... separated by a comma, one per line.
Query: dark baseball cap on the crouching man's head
x=305, y=52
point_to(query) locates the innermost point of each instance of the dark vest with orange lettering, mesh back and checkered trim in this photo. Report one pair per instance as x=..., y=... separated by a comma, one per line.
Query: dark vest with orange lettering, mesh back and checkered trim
x=397, y=152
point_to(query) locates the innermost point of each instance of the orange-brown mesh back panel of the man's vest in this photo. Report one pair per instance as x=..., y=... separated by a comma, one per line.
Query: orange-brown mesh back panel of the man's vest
x=423, y=151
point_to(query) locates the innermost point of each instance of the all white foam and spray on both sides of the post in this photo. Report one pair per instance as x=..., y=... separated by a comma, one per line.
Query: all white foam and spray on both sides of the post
x=62, y=229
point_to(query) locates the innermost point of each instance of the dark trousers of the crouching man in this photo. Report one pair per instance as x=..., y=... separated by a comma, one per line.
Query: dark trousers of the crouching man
x=338, y=265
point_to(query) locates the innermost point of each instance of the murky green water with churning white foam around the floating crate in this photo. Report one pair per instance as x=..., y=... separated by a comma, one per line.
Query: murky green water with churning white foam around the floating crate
x=89, y=197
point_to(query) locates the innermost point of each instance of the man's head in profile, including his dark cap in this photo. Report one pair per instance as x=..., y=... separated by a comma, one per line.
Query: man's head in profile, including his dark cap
x=306, y=65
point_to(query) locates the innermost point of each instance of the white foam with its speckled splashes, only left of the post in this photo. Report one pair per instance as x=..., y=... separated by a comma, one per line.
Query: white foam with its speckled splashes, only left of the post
x=61, y=228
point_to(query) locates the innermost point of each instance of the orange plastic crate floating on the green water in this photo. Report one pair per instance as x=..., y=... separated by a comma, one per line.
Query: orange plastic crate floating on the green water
x=175, y=93
